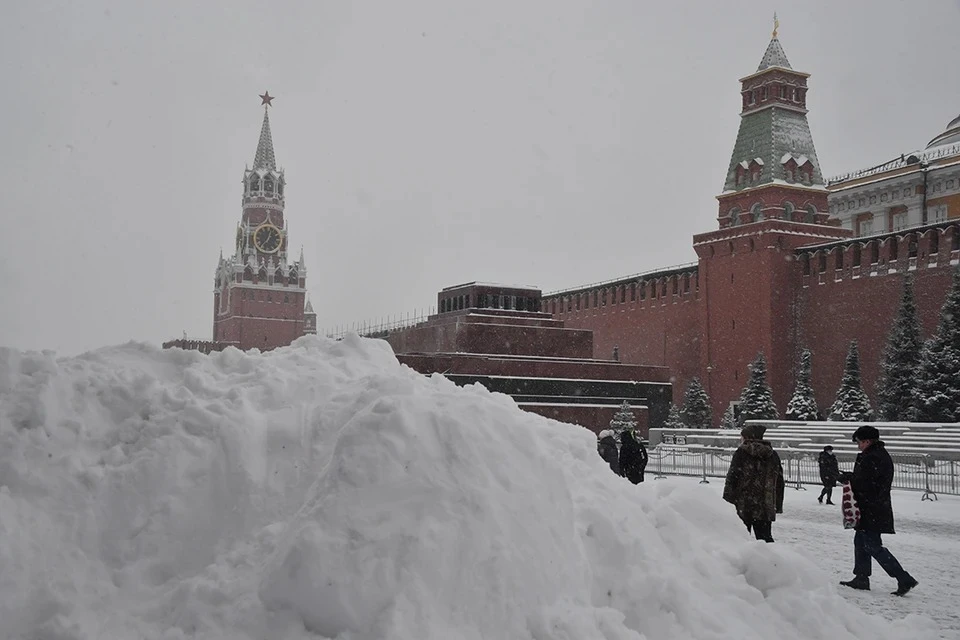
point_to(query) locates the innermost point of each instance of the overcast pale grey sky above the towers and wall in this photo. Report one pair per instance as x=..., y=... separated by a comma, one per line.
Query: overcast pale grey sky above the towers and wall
x=426, y=143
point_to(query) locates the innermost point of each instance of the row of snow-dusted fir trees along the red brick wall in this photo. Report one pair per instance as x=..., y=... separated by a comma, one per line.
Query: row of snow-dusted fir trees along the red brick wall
x=919, y=380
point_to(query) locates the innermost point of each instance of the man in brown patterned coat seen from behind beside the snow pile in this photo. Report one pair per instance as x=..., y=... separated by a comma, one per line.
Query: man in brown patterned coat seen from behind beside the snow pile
x=755, y=483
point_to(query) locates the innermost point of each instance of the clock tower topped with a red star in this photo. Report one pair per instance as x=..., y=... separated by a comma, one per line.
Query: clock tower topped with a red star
x=260, y=293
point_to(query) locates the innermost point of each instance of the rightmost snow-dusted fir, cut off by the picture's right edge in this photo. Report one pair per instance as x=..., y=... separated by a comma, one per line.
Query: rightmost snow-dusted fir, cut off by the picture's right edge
x=937, y=395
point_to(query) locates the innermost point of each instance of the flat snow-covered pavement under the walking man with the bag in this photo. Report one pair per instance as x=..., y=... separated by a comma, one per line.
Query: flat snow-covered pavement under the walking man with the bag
x=927, y=543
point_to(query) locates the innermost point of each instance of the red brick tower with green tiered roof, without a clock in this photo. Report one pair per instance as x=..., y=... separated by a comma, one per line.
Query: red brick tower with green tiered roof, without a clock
x=773, y=201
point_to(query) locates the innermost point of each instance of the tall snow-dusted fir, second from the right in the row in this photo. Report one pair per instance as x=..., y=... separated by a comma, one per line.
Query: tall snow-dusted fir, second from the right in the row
x=897, y=386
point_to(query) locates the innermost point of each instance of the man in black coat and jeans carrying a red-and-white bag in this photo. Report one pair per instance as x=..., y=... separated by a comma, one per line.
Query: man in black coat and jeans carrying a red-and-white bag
x=871, y=480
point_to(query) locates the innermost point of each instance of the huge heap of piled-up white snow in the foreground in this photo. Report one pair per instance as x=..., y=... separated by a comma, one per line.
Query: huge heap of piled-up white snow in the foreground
x=323, y=490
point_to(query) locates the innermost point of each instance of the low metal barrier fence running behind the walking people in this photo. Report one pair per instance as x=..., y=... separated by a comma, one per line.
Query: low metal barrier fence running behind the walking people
x=912, y=472
